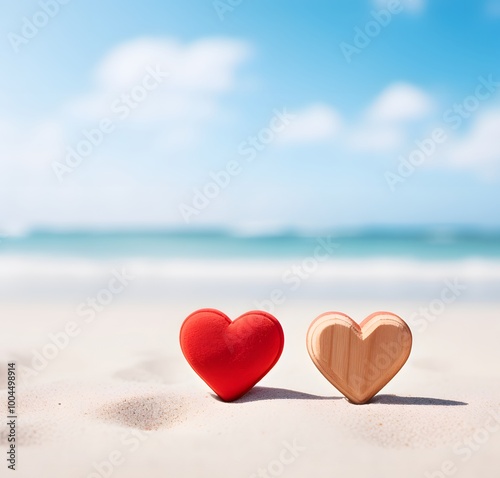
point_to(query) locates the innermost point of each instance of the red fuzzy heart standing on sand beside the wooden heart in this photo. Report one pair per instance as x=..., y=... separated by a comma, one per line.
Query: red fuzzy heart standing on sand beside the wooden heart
x=231, y=357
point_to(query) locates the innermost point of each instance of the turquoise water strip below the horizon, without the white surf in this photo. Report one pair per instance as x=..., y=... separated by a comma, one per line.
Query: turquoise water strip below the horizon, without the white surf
x=422, y=244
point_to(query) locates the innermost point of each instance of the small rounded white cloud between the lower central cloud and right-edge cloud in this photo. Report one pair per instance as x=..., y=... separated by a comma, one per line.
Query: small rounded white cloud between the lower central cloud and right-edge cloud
x=400, y=102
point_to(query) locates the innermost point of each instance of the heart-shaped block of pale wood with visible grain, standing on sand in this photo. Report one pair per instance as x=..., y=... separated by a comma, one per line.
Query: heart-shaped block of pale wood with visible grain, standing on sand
x=359, y=360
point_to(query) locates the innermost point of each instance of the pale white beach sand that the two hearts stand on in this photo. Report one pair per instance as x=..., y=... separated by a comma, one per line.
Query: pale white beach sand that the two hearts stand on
x=122, y=392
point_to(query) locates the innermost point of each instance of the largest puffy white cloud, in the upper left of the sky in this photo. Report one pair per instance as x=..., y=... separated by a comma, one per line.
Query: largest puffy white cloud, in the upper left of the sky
x=198, y=73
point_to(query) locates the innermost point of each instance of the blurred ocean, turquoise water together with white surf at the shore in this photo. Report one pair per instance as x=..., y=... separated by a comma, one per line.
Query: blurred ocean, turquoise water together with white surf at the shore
x=367, y=264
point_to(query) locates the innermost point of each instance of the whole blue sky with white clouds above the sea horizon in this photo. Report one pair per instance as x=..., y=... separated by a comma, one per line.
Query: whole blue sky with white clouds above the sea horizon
x=335, y=162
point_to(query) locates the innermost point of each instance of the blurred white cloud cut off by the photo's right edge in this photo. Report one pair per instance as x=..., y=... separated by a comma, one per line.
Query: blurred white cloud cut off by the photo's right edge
x=480, y=148
